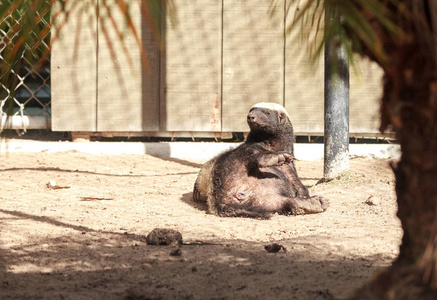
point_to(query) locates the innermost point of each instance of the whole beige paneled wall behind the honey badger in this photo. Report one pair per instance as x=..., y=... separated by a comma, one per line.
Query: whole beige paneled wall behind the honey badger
x=219, y=59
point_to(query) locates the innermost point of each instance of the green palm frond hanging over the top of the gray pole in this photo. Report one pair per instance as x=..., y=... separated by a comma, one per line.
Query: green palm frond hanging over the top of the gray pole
x=355, y=27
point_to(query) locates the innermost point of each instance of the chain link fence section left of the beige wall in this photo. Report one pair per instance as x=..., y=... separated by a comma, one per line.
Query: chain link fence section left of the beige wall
x=26, y=82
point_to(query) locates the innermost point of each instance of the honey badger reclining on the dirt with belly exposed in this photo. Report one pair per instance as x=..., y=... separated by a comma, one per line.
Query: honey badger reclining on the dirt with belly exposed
x=258, y=177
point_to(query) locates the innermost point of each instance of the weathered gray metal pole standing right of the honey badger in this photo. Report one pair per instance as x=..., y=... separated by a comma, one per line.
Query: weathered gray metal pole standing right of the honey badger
x=336, y=158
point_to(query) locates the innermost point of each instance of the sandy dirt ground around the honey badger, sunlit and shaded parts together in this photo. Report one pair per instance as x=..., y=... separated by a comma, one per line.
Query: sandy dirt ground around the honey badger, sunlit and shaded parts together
x=87, y=240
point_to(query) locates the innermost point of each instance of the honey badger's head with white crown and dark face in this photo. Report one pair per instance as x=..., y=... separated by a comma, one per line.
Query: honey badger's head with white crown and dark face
x=268, y=117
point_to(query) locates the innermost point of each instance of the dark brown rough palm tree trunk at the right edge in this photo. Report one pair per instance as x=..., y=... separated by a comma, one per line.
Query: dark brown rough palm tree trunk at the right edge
x=409, y=105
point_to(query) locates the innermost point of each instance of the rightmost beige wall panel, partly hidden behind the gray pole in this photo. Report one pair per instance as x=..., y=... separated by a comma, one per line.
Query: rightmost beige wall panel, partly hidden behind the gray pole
x=304, y=90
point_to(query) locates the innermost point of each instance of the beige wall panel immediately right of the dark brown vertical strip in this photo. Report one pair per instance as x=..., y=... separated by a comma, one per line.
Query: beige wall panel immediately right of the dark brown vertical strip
x=191, y=68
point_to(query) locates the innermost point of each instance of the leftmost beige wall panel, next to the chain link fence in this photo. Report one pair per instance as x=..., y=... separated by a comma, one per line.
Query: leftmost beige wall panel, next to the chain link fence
x=73, y=71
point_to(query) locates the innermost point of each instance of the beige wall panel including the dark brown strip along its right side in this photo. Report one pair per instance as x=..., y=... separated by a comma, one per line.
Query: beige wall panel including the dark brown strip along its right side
x=128, y=94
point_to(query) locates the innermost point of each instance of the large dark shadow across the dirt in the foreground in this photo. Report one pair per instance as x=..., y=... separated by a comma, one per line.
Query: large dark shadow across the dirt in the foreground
x=90, y=264
